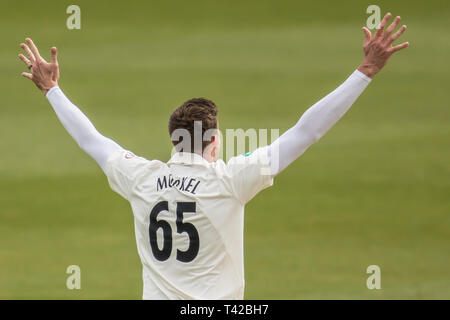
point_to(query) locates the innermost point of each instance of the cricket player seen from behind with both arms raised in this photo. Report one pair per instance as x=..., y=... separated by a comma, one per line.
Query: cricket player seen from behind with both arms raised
x=189, y=211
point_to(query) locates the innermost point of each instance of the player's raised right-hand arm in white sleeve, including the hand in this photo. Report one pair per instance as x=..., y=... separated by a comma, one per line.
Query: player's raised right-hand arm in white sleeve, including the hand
x=319, y=118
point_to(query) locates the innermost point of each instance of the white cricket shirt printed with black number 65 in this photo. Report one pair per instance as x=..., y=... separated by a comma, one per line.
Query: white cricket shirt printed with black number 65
x=219, y=192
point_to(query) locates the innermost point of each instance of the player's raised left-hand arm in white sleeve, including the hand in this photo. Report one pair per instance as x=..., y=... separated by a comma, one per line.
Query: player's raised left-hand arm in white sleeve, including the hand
x=46, y=75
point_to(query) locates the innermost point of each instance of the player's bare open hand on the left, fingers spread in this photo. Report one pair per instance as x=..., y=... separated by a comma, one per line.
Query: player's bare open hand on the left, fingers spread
x=44, y=75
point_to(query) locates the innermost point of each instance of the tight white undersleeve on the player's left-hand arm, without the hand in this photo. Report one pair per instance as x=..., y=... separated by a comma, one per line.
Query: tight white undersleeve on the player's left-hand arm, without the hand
x=81, y=129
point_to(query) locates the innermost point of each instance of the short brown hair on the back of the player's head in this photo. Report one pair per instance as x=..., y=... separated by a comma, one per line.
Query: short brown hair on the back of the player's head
x=196, y=109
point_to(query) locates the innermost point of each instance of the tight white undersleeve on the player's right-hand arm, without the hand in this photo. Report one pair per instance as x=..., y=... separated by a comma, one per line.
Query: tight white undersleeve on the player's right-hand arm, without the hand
x=315, y=122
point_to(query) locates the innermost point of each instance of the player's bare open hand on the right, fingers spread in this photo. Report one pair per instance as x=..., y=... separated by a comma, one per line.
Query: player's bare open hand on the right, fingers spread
x=378, y=49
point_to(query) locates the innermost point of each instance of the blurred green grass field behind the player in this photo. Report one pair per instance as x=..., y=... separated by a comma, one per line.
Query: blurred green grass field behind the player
x=374, y=190
